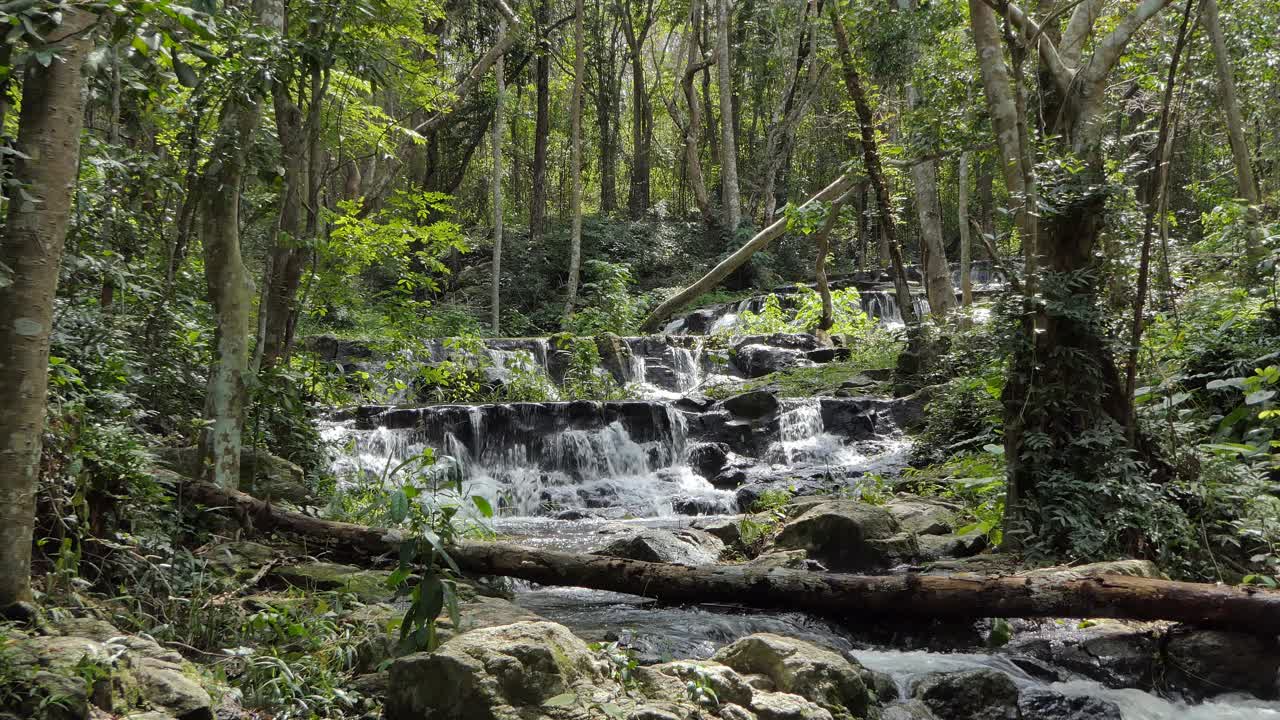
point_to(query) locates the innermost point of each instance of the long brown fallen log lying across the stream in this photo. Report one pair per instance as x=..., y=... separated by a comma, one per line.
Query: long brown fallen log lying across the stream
x=1247, y=610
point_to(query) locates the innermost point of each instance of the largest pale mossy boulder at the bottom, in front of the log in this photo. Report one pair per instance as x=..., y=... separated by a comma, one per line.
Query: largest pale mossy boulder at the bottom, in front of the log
x=504, y=673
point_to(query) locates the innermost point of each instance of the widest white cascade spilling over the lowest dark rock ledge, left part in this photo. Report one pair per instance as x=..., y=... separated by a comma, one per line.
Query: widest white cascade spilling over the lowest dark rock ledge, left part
x=542, y=459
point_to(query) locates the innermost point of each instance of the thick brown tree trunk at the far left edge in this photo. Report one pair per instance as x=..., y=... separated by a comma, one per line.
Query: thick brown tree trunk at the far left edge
x=45, y=165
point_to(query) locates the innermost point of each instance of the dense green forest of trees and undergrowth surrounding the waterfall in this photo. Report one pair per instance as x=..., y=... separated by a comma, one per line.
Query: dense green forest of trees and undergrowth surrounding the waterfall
x=194, y=194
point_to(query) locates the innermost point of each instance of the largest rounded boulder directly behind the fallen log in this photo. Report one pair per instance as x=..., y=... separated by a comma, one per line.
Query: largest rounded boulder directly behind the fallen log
x=845, y=535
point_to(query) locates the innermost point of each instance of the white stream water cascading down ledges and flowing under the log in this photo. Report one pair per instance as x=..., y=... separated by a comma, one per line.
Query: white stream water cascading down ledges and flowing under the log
x=573, y=476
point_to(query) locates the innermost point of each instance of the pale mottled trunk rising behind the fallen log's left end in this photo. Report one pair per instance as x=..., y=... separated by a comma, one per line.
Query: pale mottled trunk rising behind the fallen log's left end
x=230, y=286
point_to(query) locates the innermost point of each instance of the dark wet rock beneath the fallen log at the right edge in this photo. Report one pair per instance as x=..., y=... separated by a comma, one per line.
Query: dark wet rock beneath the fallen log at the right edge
x=1208, y=663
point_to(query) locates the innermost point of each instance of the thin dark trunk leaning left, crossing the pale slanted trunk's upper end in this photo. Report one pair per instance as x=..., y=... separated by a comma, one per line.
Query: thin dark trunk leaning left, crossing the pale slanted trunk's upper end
x=875, y=171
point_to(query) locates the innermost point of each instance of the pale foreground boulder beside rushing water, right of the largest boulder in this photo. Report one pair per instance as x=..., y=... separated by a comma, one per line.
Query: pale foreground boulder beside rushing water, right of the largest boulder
x=797, y=667
